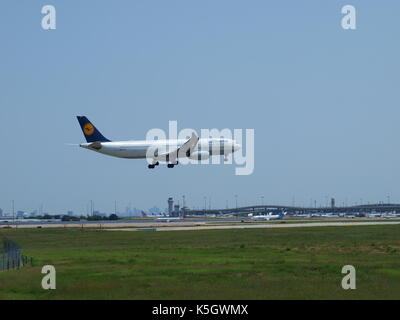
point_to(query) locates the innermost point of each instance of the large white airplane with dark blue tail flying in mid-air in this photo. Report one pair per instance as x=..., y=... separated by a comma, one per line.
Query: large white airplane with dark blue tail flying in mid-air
x=193, y=148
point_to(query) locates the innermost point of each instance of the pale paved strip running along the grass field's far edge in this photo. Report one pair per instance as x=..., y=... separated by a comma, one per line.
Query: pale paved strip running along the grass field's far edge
x=253, y=226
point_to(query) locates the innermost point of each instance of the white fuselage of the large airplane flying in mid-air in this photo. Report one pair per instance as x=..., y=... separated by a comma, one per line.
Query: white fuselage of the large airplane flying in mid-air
x=140, y=149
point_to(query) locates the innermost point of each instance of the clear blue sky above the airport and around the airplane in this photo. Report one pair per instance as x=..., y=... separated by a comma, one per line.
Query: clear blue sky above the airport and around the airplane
x=324, y=102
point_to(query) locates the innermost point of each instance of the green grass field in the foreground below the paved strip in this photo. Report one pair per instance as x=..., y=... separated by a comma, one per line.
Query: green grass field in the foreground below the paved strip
x=293, y=263
